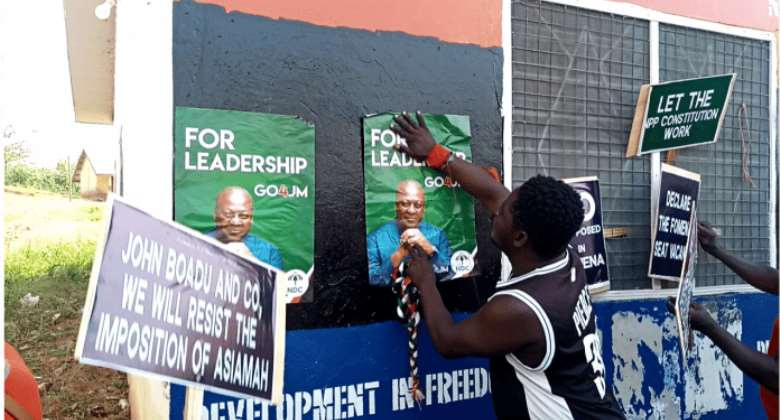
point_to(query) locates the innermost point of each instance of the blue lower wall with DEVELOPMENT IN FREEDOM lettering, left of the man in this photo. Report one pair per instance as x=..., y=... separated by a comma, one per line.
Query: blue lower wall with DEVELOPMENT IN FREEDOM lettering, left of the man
x=335, y=357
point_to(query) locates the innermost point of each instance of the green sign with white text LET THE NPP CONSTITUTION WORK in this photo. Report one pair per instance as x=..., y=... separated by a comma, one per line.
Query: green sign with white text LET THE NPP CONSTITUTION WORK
x=681, y=114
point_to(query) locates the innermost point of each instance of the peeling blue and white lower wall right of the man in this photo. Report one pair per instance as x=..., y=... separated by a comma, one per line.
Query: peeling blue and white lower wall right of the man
x=642, y=350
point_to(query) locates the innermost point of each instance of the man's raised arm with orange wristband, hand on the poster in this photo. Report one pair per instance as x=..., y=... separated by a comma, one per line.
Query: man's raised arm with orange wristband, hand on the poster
x=420, y=145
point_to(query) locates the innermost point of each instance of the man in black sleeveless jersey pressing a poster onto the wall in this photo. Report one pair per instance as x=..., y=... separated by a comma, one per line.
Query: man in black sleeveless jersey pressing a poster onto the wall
x=538, y=329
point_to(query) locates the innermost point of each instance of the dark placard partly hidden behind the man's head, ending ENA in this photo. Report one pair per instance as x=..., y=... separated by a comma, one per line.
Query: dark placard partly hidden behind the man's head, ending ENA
x=588, y=242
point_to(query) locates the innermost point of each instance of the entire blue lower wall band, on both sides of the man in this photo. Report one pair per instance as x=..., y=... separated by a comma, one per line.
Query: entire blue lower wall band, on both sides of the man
x=641, y=352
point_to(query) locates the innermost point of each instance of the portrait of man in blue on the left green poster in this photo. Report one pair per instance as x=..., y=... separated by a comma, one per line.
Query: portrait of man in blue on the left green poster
x=233, y=220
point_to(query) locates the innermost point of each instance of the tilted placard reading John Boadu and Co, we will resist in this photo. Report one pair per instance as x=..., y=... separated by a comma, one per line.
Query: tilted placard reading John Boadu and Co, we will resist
x=168, y=302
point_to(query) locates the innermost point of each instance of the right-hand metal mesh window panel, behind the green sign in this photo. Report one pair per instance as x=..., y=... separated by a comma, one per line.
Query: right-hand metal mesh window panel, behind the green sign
x=740, y=210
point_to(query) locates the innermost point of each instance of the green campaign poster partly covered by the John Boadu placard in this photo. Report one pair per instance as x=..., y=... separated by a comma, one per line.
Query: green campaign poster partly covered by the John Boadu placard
x=247, y=179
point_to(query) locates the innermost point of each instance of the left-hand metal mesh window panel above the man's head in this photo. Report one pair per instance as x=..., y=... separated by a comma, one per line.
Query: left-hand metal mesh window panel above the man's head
x=575, y=75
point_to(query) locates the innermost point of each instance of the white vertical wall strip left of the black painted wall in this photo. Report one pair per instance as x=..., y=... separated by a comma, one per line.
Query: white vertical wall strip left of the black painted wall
x=144, y=113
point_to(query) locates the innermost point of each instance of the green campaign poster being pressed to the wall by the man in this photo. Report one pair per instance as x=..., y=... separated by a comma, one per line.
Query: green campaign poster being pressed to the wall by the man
x=408, y=202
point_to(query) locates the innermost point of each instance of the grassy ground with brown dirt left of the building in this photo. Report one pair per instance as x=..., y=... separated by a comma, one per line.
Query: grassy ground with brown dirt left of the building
x=50, y=245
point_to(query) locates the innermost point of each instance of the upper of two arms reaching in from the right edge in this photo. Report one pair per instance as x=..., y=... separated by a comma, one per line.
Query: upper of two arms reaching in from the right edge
x=761, y=277
